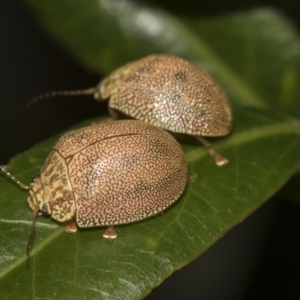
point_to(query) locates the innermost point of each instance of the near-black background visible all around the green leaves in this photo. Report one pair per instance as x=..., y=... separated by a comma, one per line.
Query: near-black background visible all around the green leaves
x=258, y=259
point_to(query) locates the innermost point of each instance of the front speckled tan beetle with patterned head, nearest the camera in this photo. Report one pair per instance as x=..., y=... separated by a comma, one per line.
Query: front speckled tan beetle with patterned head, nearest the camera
x=110, y=173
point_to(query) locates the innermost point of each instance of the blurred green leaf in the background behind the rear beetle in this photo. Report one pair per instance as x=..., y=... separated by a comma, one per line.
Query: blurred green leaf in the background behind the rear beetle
x=254, y=55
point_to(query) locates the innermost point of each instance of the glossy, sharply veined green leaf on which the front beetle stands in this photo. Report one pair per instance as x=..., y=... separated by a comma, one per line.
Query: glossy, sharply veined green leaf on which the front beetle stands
x=85, y=266
